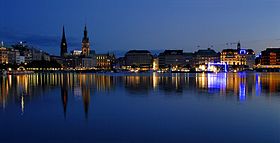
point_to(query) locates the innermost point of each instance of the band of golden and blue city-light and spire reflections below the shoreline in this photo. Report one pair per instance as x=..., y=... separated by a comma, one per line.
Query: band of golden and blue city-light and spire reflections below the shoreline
x=23, y=88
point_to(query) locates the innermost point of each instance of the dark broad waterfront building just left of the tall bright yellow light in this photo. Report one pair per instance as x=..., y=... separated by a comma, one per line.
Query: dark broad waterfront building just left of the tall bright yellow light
x=138, y=60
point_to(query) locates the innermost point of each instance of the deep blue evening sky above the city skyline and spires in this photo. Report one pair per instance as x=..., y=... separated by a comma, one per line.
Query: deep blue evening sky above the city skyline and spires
x=119, y=25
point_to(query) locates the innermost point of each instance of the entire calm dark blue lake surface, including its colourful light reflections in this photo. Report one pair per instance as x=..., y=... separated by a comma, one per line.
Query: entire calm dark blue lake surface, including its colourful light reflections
x=233, y=107
